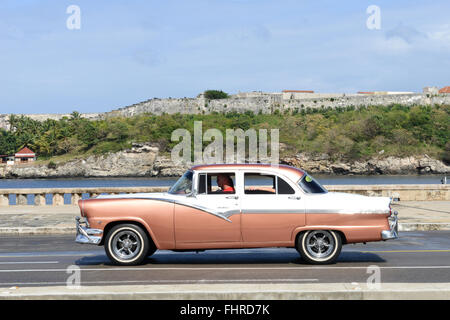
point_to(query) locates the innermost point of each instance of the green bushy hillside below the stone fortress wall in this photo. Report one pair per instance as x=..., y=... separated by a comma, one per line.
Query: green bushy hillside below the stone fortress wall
x=344, y=133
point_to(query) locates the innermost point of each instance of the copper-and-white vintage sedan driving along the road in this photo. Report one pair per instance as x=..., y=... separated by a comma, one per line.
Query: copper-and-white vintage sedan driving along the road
x=235, y=206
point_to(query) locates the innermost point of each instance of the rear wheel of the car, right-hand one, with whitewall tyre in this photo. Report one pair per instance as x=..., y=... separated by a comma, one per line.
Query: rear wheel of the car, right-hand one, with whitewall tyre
x=319, y=246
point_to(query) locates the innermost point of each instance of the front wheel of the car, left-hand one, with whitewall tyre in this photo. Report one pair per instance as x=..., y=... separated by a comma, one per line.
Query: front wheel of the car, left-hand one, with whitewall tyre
x=127, y=244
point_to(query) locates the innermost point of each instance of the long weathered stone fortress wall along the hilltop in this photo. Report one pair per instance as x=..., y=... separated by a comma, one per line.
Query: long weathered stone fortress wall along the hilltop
x=287, y=100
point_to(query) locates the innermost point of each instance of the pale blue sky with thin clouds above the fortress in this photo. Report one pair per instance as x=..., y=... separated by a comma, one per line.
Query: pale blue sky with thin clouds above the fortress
x=125, y=52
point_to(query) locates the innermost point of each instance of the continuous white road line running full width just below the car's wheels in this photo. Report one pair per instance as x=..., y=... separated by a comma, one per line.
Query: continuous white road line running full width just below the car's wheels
x=222, y=268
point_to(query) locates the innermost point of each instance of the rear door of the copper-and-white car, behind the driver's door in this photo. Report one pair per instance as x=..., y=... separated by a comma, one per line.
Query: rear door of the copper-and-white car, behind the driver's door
x=271, y=209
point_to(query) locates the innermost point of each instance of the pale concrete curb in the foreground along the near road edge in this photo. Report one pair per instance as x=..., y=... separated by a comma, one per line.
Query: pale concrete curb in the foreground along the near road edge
x=323, y=291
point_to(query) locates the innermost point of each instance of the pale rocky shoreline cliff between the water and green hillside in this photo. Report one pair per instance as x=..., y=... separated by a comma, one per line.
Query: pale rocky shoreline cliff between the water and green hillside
x=144, y=160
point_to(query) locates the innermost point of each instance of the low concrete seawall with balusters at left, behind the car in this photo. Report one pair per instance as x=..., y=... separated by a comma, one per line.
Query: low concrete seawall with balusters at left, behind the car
x=427, y=192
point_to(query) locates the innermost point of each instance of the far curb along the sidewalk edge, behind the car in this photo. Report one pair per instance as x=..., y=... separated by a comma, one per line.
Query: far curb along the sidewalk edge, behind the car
x=424, y=226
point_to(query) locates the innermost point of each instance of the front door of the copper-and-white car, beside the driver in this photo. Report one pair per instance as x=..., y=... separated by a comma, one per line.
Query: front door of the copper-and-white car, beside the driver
x=209, y=218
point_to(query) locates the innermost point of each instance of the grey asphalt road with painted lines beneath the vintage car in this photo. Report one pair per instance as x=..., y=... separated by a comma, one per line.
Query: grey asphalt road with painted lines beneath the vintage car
x=417, y=257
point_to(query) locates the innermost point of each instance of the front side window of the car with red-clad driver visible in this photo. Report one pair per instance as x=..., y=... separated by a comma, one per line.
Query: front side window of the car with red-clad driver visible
x=216, y=183
